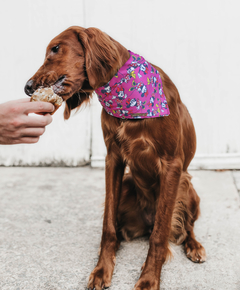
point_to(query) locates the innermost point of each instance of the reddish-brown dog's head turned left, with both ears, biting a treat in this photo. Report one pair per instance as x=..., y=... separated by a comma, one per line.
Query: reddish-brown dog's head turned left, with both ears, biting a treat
x=77, y=62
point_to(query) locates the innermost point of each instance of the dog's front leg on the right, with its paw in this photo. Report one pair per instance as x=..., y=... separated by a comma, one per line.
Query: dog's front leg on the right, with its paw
x=158, y=242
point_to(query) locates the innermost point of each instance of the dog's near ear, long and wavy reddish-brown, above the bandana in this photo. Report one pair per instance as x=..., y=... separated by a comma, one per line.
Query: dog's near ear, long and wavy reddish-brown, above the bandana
x=102, y=58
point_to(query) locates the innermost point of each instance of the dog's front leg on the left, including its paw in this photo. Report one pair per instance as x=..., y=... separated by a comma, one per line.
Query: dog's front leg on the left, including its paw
x=101, y=276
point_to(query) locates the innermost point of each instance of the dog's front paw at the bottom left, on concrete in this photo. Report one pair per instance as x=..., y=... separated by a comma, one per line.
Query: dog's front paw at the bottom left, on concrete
x=100, y=278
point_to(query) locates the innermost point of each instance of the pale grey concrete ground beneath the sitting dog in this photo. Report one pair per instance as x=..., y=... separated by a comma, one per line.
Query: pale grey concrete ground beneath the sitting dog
x=50, y=230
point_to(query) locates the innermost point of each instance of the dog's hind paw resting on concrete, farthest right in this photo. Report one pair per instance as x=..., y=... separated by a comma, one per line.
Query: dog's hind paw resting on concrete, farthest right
x=195, y=252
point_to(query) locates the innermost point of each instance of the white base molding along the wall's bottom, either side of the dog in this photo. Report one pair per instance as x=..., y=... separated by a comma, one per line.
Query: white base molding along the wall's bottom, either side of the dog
x=200, y=161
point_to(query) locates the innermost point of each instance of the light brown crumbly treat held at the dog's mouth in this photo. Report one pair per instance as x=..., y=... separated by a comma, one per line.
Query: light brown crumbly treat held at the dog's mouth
x=47, y=95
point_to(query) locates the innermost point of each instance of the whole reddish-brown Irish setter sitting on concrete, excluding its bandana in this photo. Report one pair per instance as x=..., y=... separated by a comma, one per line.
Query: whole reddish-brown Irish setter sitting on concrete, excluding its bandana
x=148, y=188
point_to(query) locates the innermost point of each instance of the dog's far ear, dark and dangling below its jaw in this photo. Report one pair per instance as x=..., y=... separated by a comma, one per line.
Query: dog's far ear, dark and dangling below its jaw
x=78, y=99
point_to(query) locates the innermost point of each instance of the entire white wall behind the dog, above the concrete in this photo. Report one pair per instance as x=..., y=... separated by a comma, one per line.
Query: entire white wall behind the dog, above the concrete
x=196, y=43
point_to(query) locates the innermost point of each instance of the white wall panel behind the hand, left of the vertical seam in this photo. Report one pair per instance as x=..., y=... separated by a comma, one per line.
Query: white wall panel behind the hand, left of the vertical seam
x=26, y=29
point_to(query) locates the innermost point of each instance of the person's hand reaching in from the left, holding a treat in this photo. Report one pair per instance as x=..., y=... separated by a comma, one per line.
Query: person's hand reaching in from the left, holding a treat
x=16, y=126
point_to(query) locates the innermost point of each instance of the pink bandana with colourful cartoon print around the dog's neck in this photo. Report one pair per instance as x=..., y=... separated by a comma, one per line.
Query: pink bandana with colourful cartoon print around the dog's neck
x=135, y=92
